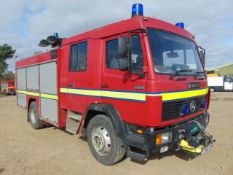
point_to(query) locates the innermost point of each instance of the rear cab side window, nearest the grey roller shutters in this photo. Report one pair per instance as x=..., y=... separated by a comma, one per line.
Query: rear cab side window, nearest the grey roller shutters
x=78, y=57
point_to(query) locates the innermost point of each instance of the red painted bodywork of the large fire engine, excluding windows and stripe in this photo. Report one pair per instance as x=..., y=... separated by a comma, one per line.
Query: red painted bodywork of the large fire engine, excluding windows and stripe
x=140, y=113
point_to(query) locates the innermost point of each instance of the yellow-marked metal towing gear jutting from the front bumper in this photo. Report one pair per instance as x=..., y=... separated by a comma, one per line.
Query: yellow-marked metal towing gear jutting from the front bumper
x=198, y=144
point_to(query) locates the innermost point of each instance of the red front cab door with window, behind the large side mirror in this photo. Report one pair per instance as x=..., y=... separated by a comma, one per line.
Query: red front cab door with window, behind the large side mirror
x=125, y=90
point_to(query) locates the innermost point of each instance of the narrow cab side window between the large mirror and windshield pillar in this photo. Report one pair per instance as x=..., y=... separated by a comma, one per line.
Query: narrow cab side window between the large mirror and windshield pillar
x=136, y=54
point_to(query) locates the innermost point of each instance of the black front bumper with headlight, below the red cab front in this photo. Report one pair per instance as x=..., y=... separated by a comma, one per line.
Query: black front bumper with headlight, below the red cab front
x=146, y=143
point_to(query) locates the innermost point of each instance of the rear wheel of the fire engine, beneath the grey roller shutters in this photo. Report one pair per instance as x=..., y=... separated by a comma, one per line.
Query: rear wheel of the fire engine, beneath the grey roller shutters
x=33, y=115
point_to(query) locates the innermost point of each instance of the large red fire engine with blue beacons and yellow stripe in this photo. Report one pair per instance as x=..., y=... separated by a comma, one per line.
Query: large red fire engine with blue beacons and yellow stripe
x=135, y=87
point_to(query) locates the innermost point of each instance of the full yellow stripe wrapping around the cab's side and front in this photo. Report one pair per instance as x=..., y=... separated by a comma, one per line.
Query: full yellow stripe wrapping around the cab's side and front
x=136, y=96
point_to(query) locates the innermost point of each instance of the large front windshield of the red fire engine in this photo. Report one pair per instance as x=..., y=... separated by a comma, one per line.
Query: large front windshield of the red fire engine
x=173, y=54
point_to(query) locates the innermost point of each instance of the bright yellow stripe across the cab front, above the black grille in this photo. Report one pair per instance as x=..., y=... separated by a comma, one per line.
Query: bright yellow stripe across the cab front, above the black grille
x=181, y=95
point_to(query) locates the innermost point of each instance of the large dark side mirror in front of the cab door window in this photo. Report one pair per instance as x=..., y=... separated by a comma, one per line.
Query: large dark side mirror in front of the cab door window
x=123, y=46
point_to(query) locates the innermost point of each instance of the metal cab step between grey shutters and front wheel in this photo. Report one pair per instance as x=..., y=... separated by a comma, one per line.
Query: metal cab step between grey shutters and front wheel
x=73, y=122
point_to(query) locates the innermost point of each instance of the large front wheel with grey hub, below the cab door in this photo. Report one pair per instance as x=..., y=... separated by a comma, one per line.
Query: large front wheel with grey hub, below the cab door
x=104, y=145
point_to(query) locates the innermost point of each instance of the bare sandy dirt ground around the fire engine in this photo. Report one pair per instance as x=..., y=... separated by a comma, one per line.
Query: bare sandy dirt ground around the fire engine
x=24, y=150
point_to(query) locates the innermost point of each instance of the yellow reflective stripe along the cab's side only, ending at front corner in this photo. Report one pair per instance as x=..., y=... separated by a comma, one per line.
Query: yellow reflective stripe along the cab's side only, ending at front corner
x=108, y=94
